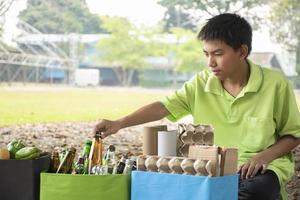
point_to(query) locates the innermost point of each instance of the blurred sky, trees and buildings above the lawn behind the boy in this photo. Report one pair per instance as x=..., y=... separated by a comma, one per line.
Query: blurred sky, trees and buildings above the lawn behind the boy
x=133, y=43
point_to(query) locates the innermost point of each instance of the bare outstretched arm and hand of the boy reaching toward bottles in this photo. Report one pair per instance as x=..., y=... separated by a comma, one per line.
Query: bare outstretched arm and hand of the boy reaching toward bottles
x=148, y=113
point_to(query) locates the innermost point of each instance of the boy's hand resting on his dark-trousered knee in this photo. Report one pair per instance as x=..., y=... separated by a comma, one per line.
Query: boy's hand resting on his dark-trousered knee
x=253, y=166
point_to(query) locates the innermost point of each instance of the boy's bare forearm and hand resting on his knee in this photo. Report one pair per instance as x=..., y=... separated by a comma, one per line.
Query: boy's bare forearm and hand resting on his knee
x=284, y=145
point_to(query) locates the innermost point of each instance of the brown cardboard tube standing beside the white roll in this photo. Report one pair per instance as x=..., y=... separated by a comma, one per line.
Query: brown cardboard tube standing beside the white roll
x=150, y=139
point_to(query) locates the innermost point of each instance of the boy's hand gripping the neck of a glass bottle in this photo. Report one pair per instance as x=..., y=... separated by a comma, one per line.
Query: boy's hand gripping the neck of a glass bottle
x=107, y=127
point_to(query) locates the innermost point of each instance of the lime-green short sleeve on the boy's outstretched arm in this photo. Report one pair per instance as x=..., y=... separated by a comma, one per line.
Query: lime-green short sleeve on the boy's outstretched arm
x=179, y=103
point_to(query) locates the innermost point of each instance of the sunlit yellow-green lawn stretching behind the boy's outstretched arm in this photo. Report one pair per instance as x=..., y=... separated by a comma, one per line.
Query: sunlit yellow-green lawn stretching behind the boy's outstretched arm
x=70, y=104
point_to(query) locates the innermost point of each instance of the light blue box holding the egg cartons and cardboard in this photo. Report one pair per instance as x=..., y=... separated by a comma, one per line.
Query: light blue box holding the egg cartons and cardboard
x=162, y=186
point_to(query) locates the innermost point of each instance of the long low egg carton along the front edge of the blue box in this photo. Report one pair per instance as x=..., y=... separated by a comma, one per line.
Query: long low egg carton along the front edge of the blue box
x=175, y=165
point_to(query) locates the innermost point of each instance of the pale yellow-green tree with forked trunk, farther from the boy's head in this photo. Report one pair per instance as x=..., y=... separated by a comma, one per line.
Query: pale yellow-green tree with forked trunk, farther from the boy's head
x=123, y=49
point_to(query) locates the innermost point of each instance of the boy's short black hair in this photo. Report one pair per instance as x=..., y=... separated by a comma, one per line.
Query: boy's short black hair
x=230, y=28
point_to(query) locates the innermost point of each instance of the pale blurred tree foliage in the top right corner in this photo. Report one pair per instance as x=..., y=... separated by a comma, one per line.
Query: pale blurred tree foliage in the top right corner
x=285, y=20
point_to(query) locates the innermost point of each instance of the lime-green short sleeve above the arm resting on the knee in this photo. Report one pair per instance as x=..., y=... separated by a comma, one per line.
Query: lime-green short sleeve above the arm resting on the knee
x=287, y=113
